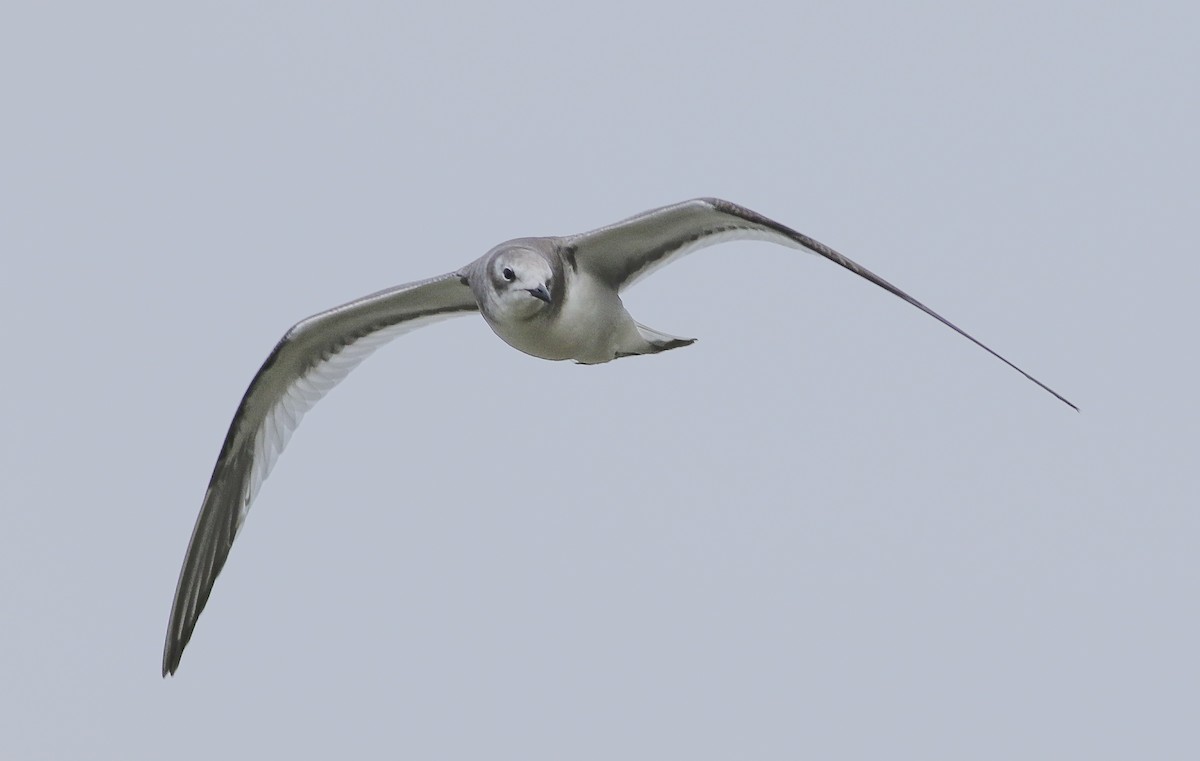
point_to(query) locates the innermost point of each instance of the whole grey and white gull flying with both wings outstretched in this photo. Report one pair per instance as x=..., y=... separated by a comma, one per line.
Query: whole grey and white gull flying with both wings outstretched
x=553, y=298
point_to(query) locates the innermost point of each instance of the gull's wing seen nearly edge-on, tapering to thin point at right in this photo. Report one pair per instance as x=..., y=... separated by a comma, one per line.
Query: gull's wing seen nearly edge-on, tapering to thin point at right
x=623, y=254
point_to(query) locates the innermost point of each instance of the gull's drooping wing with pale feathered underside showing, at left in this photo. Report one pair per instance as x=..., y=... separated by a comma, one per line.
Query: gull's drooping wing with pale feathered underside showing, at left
x=311, y=359
